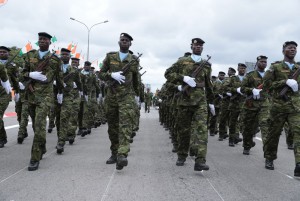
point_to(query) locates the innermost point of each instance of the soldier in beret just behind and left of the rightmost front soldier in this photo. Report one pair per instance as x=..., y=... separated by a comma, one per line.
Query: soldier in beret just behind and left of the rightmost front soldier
x=256, y=107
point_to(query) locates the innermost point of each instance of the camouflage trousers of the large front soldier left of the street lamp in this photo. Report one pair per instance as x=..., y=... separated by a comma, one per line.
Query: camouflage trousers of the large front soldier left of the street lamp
x=38, y=114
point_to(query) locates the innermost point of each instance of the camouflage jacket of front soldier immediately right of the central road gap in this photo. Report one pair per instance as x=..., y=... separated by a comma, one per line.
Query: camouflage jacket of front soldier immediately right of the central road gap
x=203, y=92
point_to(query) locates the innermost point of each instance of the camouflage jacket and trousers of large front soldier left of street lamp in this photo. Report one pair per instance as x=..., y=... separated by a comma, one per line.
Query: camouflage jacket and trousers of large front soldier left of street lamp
x=41, y=99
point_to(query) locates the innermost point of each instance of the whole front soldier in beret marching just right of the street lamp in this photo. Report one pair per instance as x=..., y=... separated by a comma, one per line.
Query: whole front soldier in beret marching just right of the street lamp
x=120, y=99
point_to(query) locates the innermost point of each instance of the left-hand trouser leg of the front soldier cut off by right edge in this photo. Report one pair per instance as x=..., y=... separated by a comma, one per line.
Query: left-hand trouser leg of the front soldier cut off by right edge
x=277, y=121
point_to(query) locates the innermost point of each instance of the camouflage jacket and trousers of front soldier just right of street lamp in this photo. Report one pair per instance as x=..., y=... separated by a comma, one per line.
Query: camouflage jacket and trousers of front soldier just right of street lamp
x=120, y=102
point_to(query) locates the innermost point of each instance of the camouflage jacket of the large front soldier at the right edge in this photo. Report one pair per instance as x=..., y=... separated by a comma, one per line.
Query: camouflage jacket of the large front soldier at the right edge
x=275, y=80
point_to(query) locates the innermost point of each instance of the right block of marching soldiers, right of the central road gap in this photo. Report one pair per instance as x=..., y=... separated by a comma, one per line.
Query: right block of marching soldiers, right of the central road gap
x=194, y=104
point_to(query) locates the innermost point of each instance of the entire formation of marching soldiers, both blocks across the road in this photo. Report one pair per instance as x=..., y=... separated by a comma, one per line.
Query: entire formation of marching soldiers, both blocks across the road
x=193, y=104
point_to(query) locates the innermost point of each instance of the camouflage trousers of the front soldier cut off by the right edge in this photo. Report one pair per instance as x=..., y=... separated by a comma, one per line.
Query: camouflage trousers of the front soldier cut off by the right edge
x=277, y=120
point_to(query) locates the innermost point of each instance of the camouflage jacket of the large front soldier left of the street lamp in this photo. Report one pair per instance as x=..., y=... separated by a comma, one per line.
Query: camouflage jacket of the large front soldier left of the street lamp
x=43, y=91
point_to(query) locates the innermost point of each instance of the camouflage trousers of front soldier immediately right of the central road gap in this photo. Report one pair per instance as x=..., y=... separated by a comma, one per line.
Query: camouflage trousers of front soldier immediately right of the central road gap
x=192, y=131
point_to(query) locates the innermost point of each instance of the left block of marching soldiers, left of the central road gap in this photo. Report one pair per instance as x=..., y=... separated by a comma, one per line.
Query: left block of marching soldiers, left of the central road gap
x=46, y=85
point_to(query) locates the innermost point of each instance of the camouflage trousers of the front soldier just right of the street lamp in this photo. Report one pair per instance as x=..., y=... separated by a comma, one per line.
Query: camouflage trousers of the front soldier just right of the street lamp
x=120, y=116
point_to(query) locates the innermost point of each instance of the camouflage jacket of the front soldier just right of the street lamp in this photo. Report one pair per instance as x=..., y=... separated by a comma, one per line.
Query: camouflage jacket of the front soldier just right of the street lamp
x=112, y=63
